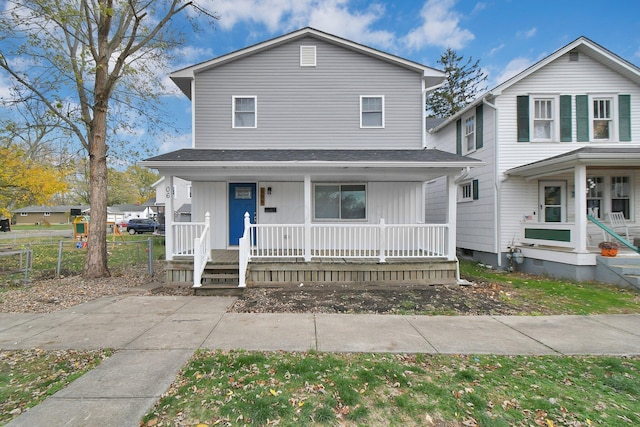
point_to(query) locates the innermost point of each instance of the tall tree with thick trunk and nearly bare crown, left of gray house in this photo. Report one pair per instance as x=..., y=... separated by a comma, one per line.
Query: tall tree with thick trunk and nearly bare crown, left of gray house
x=93, y=64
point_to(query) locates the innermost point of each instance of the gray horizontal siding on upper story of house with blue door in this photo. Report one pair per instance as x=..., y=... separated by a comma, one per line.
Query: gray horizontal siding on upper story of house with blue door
x=308, y=107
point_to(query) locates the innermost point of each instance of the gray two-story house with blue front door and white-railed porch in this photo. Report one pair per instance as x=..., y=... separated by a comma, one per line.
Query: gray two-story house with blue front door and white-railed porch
x=321, y=141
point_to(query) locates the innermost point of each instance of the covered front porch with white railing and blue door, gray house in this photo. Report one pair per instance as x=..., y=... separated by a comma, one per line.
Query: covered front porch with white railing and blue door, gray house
x=325, y=215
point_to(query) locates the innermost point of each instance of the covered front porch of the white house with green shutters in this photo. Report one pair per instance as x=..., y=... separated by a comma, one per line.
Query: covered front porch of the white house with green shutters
x=579, y=198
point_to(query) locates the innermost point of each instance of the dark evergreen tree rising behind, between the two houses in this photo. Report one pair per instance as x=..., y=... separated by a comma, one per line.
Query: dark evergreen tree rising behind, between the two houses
x=464, y=80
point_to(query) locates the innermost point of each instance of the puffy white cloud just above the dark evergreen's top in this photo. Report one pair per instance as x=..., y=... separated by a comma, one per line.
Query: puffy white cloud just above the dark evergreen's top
x=440, y=27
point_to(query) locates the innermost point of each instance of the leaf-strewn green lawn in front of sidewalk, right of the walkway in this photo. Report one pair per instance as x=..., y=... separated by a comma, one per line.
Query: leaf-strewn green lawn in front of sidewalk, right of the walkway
x=260, y=388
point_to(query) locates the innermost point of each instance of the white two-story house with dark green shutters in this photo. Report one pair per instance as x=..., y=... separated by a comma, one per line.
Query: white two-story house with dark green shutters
x=560, y=144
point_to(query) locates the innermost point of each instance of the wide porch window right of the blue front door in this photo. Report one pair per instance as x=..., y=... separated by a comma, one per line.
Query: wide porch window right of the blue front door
x=340, y=201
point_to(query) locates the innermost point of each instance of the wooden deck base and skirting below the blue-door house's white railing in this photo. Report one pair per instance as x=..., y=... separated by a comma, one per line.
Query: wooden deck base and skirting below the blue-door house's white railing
x=336, y=270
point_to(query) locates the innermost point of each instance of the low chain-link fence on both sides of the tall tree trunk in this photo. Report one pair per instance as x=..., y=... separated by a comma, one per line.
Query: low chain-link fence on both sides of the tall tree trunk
x=38, y=260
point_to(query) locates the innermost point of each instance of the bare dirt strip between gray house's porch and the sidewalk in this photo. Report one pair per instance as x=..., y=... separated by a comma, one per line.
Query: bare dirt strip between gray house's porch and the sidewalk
x=474, y=299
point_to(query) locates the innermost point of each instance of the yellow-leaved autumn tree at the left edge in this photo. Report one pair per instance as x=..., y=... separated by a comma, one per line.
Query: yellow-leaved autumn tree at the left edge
x=25, y=181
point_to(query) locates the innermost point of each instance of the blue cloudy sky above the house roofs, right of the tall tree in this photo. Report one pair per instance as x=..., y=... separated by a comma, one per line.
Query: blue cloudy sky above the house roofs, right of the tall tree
x=505, y=35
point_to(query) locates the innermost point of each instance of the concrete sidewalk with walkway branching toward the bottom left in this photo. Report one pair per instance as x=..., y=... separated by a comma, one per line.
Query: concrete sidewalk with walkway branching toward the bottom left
x=155, y=336
